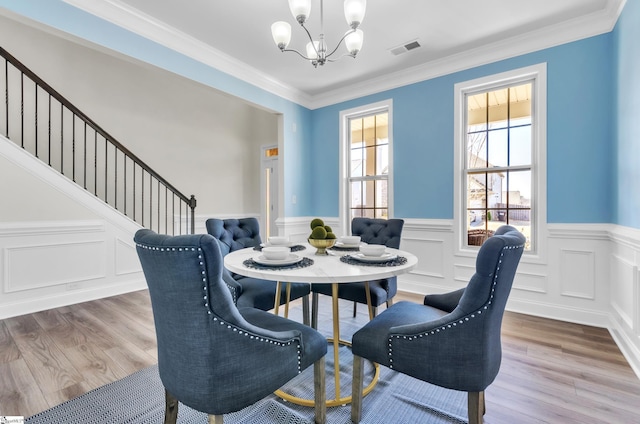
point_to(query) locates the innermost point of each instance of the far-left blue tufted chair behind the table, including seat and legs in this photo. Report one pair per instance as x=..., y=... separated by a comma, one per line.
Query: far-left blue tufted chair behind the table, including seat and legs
x=234, y=234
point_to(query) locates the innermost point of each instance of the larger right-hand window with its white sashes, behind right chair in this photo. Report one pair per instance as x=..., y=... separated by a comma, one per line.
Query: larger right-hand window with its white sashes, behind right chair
x=501, y=171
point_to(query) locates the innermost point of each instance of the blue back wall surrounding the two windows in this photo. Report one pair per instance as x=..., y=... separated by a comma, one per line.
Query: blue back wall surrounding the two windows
x=579, y=137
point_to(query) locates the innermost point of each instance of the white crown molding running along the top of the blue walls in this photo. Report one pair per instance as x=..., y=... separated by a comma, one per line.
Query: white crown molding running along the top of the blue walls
x=133, y=20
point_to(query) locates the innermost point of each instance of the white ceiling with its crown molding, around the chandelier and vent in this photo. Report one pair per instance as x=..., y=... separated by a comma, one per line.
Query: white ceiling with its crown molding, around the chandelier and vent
x=235, y=37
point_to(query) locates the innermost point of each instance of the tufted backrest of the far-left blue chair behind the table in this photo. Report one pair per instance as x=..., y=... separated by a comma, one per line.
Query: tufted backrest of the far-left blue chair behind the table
x=235, y=234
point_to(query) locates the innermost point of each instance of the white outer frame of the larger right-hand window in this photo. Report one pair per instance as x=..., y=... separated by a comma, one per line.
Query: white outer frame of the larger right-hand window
x=537, y=74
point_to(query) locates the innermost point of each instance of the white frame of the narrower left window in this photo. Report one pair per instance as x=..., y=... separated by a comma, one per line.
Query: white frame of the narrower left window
x=345, y=187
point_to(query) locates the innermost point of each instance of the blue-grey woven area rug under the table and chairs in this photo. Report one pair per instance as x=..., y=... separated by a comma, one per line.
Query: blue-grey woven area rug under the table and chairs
x=397, y=399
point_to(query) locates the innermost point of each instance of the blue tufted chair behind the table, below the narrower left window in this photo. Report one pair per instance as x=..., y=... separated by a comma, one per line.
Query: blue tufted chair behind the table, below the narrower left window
x=372, y=231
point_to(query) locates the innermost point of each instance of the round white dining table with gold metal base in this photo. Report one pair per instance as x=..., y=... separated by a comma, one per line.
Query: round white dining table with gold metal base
x=326, y=269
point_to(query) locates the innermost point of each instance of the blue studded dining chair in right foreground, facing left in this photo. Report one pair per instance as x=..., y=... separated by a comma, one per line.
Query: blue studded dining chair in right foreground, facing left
x=453, y=340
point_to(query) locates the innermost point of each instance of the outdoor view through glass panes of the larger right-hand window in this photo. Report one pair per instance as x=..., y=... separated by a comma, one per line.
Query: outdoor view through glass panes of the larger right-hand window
x=498, y=164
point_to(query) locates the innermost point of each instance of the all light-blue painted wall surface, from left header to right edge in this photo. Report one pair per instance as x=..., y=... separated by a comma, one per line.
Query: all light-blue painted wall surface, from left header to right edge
x=592, y=139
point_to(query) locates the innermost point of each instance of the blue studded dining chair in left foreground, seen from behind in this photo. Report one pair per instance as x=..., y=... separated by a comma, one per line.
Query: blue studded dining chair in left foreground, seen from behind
x=208, y=348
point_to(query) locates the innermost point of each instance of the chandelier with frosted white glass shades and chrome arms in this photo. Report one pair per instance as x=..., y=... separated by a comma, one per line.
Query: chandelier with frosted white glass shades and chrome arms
x=317, y=49
